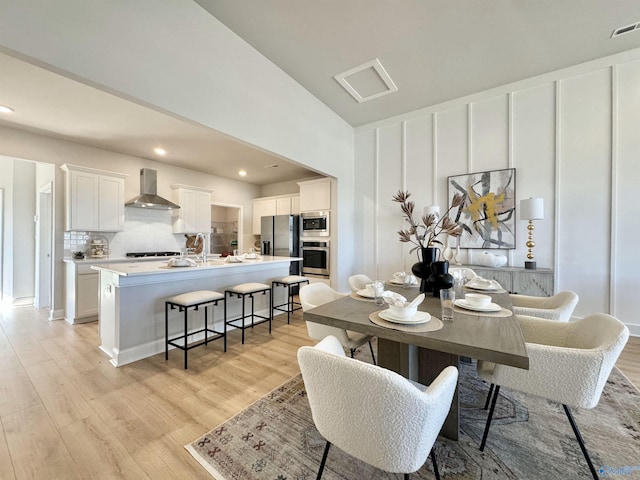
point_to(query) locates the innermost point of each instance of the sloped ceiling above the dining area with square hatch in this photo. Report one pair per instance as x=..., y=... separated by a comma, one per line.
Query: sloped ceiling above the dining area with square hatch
x=434, y=50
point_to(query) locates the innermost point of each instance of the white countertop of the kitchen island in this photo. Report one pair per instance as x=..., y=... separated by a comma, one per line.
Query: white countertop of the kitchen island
x=161, y=267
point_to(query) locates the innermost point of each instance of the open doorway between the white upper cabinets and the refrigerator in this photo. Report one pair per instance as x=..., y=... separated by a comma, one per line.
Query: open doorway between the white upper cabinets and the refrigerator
x=226, y=228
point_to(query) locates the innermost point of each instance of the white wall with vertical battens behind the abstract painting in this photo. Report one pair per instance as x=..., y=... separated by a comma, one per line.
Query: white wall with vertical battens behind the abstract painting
x=572, y=137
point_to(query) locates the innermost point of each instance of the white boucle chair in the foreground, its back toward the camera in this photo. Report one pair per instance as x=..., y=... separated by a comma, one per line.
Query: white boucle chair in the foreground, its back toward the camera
x=372, y=413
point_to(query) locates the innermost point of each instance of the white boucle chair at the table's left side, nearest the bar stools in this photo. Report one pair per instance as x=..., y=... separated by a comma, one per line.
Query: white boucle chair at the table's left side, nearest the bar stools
x=317, y=294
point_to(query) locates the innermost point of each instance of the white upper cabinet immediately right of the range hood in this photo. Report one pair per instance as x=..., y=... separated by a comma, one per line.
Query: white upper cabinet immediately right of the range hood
x=194, y=214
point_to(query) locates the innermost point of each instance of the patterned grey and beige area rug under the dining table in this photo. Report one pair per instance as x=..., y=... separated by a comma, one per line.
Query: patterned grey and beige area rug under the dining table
x=530, y=438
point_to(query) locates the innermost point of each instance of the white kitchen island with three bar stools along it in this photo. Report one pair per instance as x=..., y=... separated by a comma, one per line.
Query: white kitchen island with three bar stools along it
x=132, y=297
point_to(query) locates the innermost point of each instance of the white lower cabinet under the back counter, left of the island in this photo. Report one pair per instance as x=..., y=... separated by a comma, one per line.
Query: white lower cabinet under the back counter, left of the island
x=81, y=293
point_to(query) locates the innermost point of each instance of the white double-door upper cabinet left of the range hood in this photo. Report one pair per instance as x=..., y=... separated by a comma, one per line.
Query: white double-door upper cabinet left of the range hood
x=94, y=199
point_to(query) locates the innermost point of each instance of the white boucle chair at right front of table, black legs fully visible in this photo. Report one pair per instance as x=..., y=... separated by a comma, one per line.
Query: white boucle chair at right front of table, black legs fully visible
x=569, y=363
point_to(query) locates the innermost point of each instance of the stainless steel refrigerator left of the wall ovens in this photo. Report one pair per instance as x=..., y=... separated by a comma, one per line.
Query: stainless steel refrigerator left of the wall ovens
x=280, y=236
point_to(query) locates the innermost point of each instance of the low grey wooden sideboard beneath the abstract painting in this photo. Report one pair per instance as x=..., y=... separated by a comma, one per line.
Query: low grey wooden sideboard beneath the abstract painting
x=538, y=283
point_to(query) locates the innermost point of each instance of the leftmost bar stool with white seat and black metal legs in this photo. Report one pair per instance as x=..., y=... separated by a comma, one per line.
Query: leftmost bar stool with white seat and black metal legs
x=183, y=302
